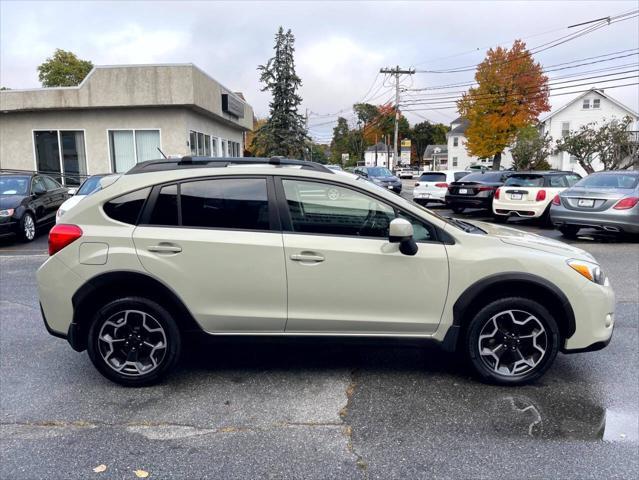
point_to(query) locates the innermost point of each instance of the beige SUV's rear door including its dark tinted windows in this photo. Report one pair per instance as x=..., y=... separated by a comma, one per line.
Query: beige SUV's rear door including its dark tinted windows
x=218, y=244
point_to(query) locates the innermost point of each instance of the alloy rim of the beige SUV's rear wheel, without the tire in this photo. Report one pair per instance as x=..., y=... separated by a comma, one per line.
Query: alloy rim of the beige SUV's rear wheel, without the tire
x=132, y=342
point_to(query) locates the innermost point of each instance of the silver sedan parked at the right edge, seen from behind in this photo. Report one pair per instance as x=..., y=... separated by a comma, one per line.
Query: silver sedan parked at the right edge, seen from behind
x=604, y=200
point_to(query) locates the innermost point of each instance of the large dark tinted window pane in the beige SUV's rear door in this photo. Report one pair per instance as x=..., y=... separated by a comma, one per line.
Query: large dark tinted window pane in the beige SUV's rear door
x=240, y=203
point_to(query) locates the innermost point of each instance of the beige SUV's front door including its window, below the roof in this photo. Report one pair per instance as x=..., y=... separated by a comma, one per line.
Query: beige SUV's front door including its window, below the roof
x=343, y=274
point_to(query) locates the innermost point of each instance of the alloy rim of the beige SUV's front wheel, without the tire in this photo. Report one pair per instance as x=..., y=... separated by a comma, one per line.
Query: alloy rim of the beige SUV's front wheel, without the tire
x=512, y=343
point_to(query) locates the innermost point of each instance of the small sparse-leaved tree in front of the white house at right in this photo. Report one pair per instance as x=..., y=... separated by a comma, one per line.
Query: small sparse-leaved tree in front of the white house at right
x=611, y=144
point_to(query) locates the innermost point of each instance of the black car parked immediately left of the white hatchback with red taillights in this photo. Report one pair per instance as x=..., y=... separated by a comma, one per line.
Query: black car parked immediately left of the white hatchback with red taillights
x=475, y=190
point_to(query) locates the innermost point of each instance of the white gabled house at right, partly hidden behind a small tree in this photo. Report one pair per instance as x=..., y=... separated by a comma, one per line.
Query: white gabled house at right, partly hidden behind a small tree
x=592, y=106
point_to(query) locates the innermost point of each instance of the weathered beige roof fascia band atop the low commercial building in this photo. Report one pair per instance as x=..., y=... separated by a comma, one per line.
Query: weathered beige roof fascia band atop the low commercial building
x=133, y=86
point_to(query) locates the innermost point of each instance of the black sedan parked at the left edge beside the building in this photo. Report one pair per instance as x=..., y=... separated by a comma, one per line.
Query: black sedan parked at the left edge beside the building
x=28, y=201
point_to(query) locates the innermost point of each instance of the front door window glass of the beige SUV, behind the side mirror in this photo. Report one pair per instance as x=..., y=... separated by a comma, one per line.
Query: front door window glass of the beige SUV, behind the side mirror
x=329, y=209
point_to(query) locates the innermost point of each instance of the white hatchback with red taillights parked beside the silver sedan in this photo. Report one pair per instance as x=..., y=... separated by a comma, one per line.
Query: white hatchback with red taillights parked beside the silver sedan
x=529, y=194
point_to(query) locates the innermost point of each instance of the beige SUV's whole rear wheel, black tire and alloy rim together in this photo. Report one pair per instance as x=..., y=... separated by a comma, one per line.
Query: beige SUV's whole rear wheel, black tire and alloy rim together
x=134, y=341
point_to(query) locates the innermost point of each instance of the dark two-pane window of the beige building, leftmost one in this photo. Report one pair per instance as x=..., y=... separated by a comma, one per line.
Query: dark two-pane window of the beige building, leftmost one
x=61, y=154
